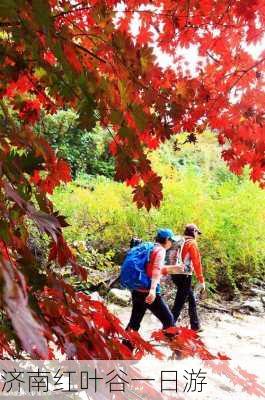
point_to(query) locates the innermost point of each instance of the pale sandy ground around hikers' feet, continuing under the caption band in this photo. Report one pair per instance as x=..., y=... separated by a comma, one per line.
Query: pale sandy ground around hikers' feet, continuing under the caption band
x=240, y=336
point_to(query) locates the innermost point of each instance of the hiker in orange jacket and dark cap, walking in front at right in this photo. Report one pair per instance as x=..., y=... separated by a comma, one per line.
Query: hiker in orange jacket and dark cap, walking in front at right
x=192, y=259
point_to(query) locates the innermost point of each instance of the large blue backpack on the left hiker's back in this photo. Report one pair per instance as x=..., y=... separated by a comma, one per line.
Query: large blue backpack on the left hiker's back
x=133, y=270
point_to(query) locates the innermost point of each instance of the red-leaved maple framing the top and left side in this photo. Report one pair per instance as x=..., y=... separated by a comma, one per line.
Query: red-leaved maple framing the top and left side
x=83, y=55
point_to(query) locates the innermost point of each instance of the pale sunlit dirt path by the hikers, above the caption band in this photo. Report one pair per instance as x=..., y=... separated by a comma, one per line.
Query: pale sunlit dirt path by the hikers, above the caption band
x=237, y=336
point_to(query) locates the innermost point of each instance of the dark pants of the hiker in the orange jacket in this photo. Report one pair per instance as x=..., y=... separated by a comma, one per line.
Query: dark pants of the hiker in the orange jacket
x=185, y=292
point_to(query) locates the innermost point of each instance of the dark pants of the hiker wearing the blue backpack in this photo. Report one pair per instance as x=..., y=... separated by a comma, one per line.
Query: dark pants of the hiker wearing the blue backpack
x=159, y=308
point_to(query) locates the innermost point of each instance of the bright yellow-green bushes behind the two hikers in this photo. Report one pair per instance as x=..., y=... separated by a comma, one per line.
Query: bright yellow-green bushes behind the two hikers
x=197, y=188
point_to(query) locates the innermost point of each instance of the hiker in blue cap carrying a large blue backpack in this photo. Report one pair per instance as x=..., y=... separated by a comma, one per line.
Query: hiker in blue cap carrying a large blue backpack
x=140, y=273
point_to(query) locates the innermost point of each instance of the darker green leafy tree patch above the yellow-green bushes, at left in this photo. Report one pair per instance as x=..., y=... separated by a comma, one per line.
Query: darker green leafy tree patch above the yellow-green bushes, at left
x=87, y=152
